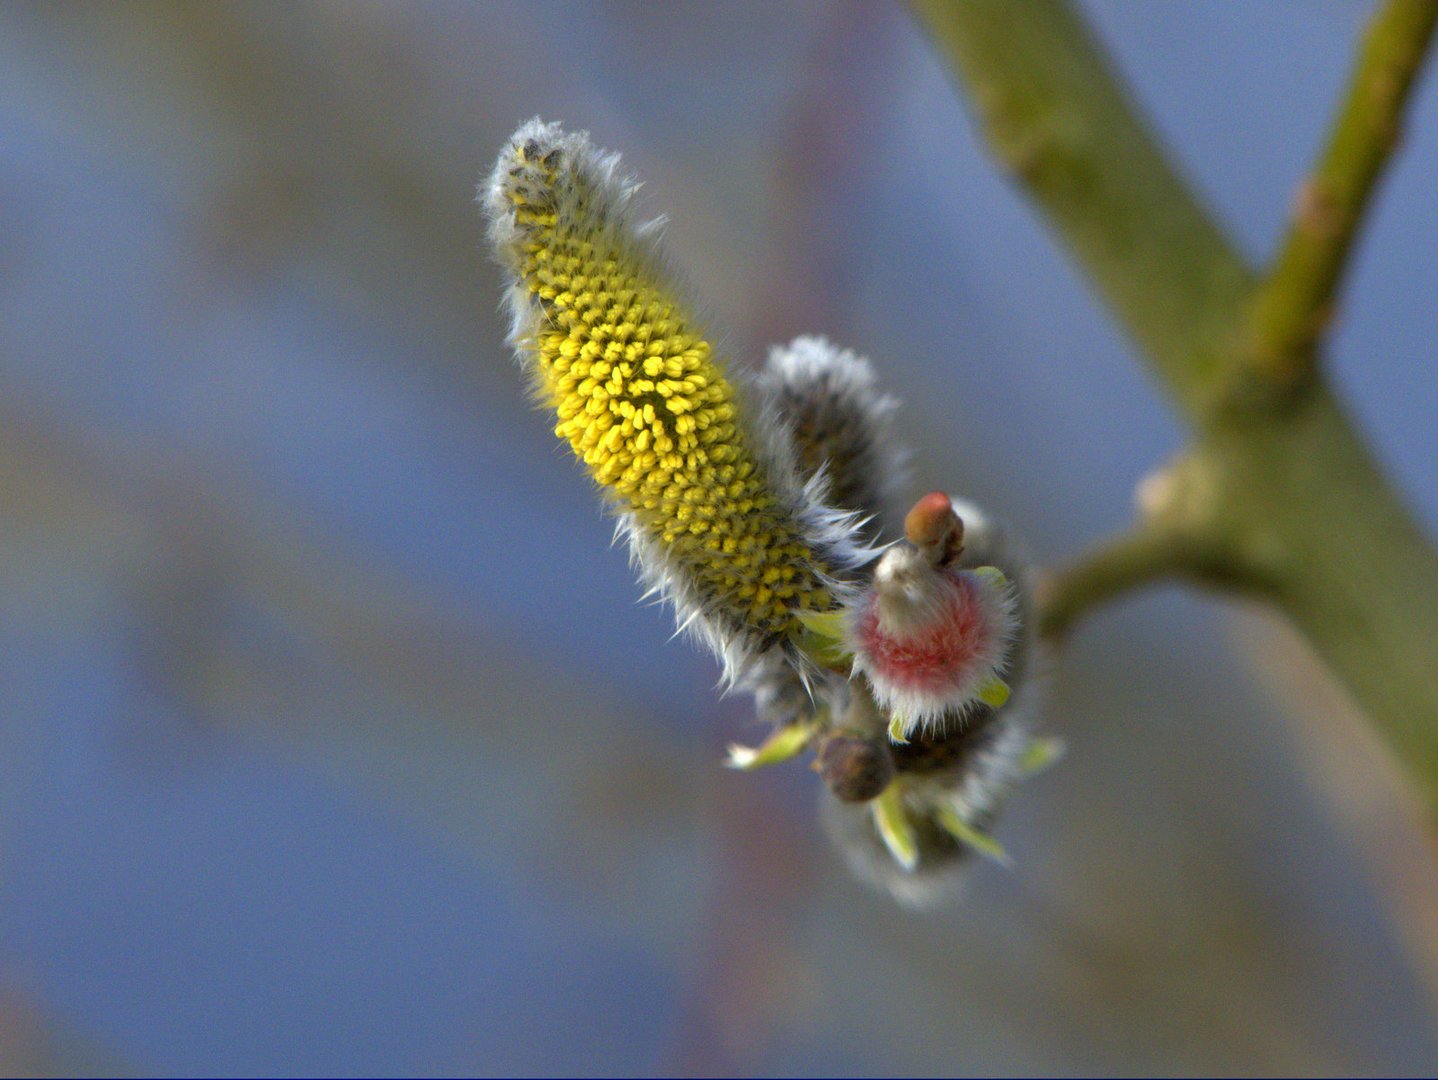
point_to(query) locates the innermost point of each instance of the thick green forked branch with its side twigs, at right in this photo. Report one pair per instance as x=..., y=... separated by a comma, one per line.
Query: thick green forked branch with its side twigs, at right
x=1279, y=493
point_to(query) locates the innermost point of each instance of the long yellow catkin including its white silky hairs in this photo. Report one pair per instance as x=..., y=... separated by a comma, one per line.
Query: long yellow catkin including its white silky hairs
x=707, y=490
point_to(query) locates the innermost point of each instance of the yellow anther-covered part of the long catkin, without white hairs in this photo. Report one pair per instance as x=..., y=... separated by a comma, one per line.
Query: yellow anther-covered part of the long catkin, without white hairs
x=642, y=402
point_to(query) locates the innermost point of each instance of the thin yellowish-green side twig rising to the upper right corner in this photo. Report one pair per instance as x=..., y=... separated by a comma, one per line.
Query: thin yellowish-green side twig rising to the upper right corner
x=1296, y=301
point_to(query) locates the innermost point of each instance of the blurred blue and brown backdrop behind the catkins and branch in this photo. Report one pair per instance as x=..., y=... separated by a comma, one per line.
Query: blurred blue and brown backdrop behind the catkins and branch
x=331, y=736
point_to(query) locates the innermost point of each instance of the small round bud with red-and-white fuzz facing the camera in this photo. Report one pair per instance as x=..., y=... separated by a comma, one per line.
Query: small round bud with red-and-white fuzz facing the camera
x=931, y=638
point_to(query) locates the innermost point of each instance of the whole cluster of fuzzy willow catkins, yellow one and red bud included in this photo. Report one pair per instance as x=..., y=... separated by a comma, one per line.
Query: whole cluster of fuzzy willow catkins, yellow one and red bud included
x=756, y=511
